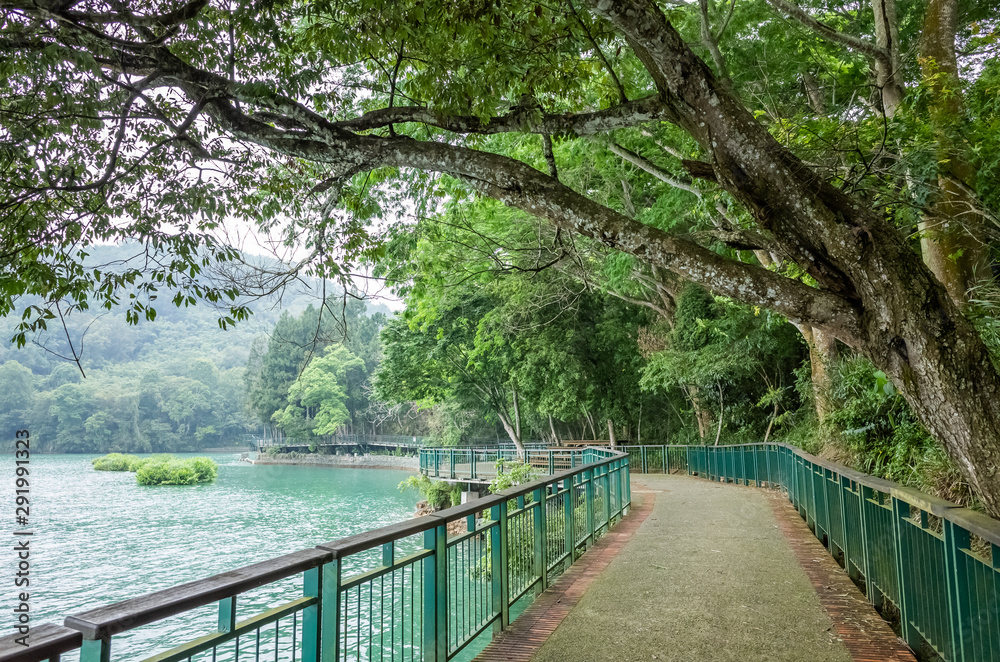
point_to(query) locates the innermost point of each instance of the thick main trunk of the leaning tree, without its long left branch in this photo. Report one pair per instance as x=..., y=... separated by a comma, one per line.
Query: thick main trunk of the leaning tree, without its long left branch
x=907, y=324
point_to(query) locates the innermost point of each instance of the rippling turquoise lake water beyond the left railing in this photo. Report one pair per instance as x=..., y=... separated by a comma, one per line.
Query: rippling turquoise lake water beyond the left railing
x=100, y=538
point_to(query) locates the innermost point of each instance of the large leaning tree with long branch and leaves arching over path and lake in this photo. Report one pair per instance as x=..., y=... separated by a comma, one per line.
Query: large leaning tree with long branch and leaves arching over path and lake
x=159, y=119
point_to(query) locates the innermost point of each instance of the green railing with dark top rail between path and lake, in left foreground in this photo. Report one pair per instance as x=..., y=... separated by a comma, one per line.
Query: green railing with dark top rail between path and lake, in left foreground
x=416, y=590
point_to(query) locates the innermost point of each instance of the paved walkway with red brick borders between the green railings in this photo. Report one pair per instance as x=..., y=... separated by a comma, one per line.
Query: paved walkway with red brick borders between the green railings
x=709, y=574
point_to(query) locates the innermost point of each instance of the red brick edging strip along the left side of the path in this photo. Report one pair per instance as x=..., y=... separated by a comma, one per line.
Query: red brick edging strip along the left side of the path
x=522, y=639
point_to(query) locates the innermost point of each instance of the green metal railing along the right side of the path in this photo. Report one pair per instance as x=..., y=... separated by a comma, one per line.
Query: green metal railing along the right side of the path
x=936, y=563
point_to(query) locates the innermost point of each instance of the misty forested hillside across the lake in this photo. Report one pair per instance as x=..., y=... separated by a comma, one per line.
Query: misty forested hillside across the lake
x=172, y=384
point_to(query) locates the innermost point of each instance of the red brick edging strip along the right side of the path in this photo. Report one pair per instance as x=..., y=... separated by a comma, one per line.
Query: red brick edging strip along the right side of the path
x=866, y=635
